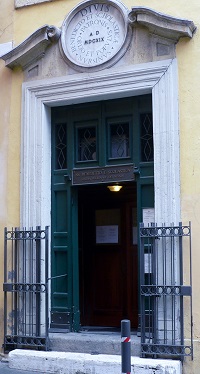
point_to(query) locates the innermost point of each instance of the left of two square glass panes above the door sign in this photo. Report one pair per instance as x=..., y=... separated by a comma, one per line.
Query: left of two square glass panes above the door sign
x=87, y=143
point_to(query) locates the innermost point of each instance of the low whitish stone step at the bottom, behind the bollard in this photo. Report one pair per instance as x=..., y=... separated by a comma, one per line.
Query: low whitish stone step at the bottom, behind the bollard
x=81, y=363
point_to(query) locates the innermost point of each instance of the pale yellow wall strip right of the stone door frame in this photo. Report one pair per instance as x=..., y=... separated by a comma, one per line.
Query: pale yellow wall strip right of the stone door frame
x=188, y=56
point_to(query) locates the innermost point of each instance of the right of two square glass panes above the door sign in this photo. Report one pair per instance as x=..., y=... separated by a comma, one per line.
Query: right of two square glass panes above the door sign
x=119, y=140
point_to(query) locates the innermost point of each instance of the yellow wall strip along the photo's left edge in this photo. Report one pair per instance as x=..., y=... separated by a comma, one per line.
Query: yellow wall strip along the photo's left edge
x=6, y=30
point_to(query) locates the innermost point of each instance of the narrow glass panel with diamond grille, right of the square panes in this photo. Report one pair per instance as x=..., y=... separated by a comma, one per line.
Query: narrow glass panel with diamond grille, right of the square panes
x=146, y=137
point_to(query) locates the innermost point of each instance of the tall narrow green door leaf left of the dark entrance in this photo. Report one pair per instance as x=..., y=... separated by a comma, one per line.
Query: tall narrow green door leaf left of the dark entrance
x=61, y=259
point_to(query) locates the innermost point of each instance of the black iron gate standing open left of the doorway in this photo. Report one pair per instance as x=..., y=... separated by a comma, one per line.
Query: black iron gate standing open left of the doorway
x=25, y=289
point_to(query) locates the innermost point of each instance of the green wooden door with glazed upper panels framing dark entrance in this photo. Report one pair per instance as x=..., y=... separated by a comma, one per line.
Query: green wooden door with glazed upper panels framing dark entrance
x=83, y=136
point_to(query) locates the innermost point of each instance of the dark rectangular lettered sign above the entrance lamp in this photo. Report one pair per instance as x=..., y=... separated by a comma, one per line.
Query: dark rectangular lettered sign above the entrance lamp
x=107, y=174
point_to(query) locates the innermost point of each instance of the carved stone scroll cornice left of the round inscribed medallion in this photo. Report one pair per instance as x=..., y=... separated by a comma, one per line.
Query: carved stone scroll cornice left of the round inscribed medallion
x=33, y=48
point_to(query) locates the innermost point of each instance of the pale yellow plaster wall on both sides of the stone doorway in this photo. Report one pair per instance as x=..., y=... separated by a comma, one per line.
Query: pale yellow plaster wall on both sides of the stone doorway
x=19, y=24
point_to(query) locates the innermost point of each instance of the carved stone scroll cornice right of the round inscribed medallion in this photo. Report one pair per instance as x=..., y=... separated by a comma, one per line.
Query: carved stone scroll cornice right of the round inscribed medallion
x=161, y=24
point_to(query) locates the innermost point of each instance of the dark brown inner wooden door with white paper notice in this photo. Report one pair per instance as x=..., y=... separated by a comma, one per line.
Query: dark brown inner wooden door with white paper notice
x=108, y=278
